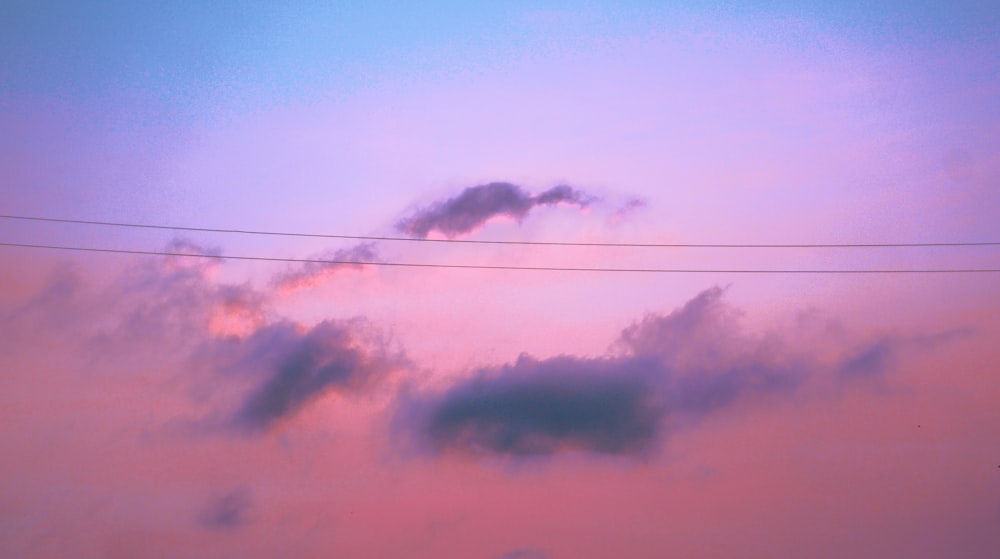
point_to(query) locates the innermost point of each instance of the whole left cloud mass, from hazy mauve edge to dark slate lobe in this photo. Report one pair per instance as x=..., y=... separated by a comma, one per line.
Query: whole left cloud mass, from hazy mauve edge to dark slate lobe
x=254, y=368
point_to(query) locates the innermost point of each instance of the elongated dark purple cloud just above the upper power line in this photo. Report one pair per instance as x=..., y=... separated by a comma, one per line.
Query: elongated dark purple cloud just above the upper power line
x=478, y=204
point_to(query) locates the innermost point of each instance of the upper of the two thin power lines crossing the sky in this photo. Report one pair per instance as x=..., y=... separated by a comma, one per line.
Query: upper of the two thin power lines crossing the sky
x=488, y=242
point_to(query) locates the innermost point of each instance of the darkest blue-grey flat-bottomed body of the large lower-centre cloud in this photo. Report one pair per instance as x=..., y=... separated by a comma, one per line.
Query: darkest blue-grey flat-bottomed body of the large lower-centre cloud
x=541, y=407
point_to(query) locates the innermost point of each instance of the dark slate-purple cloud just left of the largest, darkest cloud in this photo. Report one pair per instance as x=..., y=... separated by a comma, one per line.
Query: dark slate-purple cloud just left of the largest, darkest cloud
x=292, y=366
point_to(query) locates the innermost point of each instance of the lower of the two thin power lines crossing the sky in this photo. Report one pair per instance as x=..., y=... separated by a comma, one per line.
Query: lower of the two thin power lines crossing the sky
x=521, y=268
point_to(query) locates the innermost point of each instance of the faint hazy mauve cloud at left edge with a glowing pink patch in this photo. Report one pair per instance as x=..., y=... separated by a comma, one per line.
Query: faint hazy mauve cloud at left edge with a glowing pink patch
x=159, y=305
